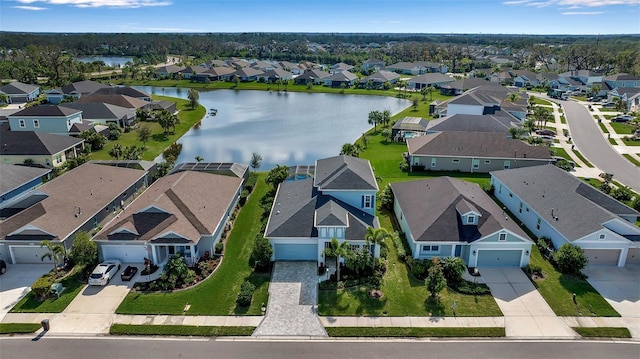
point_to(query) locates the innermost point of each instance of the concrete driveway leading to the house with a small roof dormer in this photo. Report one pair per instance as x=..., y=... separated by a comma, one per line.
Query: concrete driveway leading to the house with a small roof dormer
x=526, y=313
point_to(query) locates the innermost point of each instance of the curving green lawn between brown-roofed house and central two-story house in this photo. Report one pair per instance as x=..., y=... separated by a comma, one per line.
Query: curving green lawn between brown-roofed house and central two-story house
x=217, y=294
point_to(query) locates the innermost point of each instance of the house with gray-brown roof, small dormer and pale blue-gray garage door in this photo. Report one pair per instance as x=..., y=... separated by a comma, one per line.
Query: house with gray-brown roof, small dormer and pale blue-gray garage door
x=448, y=217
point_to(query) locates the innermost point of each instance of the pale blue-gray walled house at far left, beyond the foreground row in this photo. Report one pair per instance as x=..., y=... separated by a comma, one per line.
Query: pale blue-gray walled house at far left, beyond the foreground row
x=45, y=118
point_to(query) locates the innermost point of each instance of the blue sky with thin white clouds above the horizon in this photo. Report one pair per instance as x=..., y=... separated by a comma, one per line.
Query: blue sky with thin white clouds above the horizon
x=372, y=16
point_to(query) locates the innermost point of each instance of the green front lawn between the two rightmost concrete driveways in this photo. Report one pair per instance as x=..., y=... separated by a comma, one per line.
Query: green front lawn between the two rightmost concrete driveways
x=557, y=289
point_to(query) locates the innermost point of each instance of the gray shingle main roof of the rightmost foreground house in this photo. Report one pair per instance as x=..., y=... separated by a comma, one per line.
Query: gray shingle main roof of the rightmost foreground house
x=580, y=208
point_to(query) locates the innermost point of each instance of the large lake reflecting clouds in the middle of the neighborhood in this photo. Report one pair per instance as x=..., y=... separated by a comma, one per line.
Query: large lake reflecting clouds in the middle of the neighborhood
x=286, y=128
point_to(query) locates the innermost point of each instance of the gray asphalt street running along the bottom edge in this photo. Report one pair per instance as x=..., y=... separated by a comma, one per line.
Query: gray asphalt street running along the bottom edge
x=109, y=348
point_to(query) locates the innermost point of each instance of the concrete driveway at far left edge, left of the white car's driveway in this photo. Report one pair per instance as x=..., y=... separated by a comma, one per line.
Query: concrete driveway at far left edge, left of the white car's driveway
x=16, y=283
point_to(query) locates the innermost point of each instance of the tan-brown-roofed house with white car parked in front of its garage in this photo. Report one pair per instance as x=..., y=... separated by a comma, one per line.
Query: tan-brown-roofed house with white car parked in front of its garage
x=181, y=213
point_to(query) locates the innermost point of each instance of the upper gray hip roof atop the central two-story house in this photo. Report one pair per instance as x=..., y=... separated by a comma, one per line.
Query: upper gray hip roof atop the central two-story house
x=344, y=173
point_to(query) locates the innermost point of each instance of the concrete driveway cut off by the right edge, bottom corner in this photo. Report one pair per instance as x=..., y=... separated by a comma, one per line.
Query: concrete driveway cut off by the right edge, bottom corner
x=621, y=288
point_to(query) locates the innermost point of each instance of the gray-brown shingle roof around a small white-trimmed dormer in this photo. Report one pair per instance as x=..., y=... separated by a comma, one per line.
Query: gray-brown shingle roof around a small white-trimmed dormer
x=430, y=209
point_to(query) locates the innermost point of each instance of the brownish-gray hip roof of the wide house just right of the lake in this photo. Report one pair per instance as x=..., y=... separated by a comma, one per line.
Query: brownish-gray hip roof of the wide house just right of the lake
x=475, y=144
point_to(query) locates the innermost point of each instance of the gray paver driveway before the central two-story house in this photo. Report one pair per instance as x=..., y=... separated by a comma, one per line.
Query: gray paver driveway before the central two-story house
x=292, y=309
